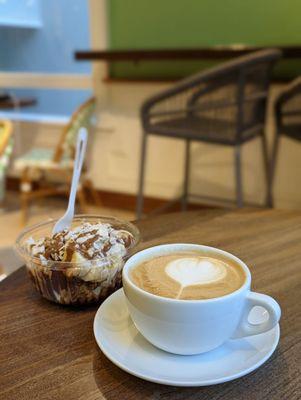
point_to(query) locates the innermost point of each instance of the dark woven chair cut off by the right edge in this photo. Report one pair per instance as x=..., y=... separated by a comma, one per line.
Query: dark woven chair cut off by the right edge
x=287, y=111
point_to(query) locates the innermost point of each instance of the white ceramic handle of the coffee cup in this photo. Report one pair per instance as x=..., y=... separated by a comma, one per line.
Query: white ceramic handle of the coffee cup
x=245, y=328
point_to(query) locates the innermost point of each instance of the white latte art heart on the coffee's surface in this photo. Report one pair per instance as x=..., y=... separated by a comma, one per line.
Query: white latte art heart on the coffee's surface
x=195, y=271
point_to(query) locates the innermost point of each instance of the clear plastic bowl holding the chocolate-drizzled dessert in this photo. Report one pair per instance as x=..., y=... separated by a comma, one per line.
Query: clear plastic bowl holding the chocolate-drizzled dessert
x=72, y=283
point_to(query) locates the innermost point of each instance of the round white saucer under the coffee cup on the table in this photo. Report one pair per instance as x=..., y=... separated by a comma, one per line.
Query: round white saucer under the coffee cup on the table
x=120, y=341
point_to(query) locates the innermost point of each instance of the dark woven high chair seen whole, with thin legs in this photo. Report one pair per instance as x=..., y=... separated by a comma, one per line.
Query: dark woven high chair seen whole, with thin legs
x=224, y=105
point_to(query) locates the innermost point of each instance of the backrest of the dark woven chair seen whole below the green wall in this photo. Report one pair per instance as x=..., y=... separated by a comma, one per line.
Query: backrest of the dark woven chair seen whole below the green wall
x=235, y=91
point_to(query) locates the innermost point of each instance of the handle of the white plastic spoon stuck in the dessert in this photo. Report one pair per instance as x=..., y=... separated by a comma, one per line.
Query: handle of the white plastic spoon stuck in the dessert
x=78, y=163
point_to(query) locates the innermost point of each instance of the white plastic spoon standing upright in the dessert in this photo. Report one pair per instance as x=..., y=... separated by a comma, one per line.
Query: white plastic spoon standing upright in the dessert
x=66, y=220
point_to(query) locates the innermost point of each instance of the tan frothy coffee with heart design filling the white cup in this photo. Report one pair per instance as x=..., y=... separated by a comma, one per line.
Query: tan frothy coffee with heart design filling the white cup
x=188, y=276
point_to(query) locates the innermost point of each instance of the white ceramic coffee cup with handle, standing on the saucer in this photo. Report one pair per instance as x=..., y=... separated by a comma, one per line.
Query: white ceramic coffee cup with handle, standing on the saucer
x=194, y=326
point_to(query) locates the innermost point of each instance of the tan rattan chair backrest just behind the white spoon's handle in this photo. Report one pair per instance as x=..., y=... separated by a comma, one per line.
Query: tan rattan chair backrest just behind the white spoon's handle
x=81, y=118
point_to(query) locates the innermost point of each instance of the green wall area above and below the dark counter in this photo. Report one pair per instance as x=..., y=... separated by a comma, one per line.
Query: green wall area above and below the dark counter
x=137, y=24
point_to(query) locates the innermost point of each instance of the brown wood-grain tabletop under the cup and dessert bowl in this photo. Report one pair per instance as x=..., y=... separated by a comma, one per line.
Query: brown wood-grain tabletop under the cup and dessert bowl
x=48, y=352
